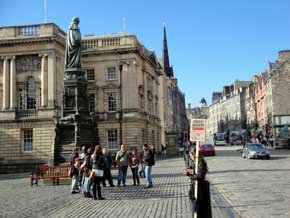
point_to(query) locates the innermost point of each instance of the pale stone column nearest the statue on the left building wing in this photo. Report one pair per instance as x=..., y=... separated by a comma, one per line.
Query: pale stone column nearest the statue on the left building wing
x=51, y=68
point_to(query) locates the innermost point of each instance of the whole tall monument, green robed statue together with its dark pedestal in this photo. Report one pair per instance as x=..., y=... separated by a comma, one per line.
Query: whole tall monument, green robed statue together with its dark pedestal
x=76, y=127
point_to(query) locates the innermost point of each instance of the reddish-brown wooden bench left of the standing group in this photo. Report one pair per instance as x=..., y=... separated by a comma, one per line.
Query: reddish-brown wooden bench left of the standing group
x=49, y=172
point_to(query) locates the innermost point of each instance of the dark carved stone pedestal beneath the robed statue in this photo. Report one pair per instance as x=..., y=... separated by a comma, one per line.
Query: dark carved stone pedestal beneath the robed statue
x=76, y=128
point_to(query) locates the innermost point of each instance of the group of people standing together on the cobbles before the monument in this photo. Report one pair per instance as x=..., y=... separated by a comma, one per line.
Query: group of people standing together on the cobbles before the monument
x=92, y=166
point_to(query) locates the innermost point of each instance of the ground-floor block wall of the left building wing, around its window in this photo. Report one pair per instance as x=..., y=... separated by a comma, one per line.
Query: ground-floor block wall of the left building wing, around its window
x=11, y=146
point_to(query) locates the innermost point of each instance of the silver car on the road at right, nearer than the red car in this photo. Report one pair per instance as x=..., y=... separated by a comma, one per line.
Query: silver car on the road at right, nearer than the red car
x=255, y=150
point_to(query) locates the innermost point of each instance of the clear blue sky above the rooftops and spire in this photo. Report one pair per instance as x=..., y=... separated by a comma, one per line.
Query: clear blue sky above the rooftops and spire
x=211, y=43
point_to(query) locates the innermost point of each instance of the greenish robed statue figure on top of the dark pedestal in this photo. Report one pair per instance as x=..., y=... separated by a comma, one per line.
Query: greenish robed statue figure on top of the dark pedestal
x=73, y=45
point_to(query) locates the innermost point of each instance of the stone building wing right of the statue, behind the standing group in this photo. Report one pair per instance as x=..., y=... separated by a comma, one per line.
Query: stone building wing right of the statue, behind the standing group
x=123, y=88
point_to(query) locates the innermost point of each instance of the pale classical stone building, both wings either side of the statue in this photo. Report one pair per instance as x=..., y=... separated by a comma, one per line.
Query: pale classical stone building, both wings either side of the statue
x=123, y=85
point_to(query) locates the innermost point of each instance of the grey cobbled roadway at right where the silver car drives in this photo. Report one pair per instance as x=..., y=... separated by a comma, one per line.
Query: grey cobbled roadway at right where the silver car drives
x=253, y=188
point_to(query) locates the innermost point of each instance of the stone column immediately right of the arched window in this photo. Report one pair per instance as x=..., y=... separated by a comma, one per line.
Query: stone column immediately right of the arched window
x=44, y=80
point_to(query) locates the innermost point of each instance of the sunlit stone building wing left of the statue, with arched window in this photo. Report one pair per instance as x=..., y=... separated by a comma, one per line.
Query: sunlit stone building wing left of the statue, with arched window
x=31, y=75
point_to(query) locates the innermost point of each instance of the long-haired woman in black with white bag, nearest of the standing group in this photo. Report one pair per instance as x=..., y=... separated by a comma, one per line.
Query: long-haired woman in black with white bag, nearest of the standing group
x=98, y=166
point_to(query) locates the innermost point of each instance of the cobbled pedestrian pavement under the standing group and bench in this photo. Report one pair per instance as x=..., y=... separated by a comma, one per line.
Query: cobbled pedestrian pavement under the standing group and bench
x=168, y=198
